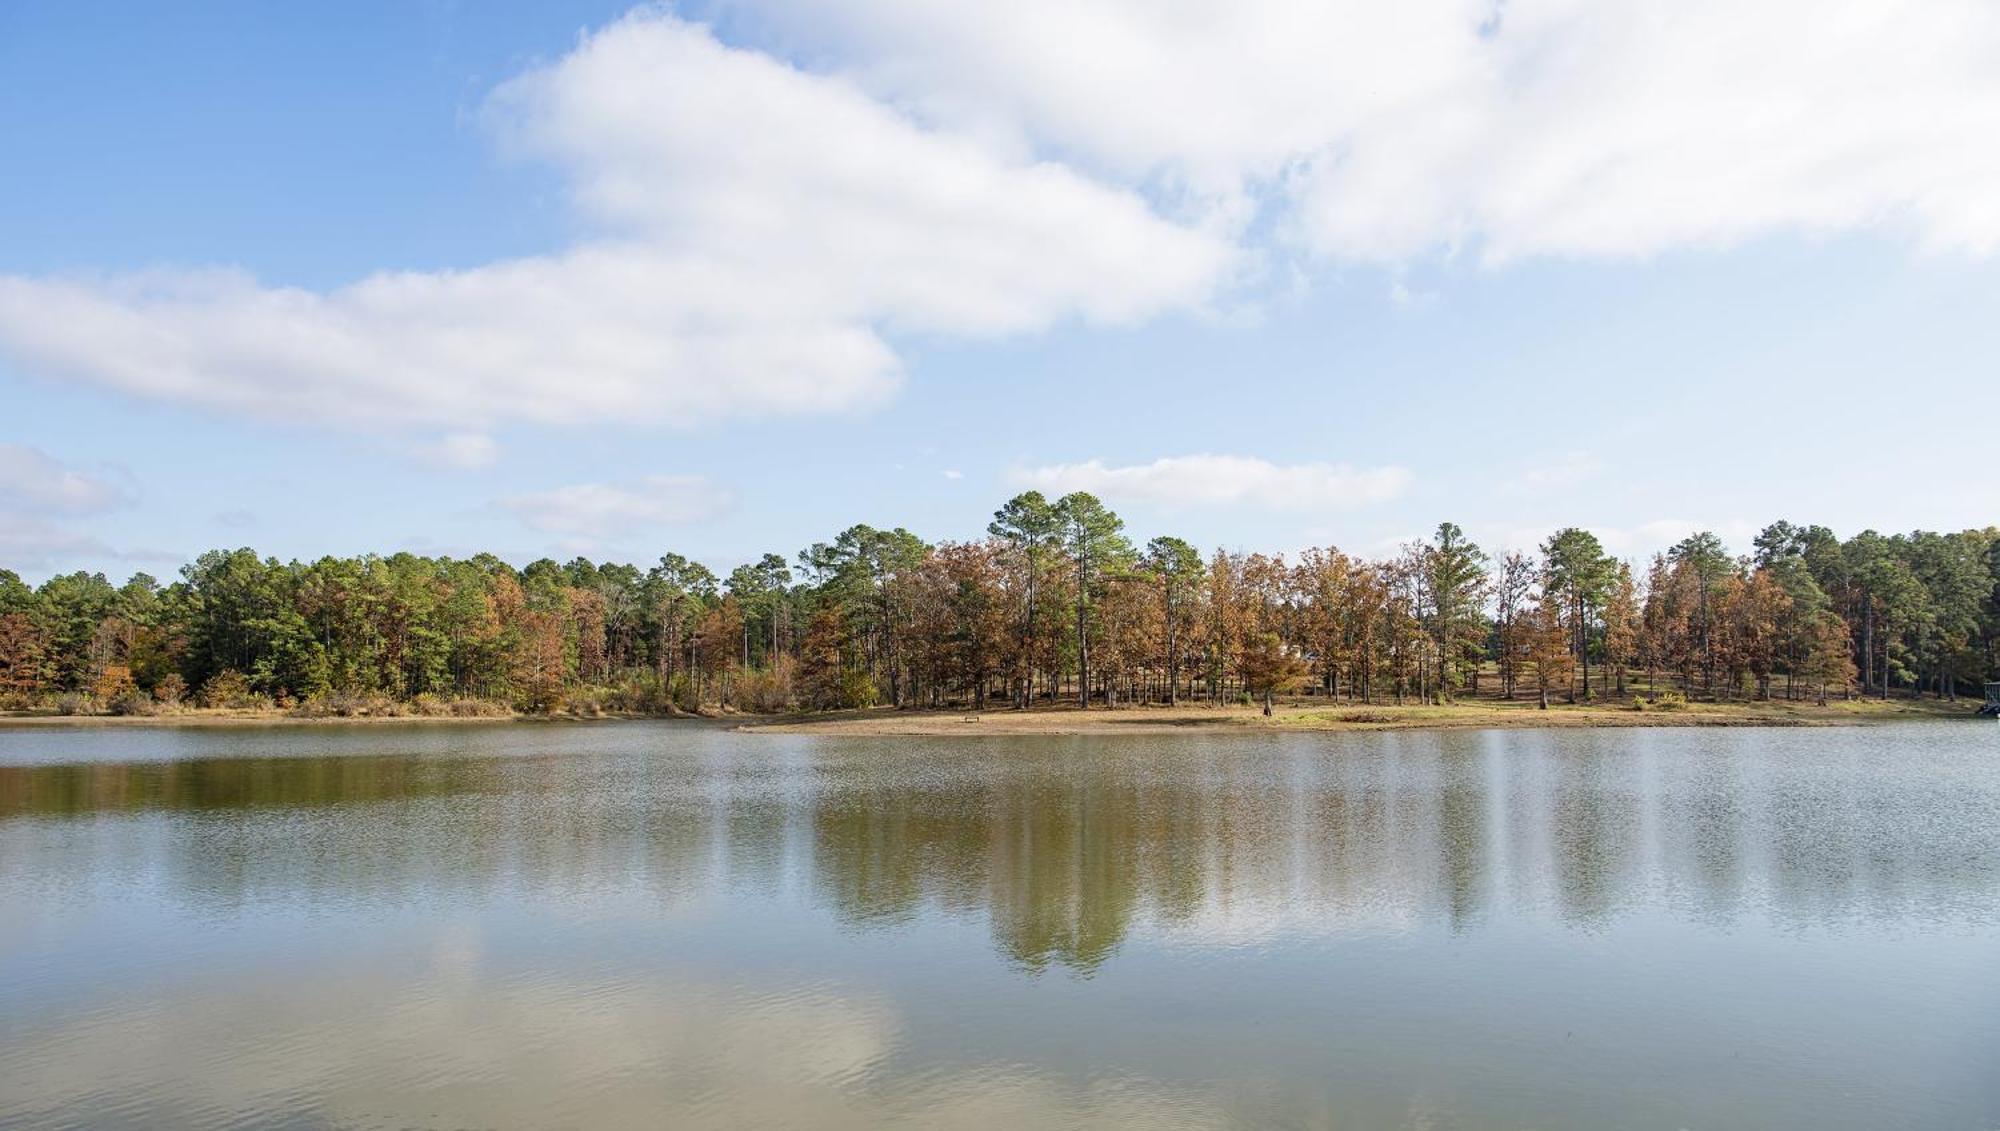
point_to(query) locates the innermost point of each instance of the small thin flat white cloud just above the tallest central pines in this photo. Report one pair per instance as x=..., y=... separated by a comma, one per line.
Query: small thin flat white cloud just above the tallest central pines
x=1223, y=481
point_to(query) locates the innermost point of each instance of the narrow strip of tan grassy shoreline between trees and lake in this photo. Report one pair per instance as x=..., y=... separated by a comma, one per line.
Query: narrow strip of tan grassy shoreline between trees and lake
x=1135, y=720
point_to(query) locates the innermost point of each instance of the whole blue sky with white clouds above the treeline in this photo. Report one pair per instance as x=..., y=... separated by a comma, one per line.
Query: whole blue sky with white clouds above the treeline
x=723, y=279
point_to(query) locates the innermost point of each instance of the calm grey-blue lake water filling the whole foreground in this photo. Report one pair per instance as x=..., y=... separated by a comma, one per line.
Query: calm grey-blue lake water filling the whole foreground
x=671, y=926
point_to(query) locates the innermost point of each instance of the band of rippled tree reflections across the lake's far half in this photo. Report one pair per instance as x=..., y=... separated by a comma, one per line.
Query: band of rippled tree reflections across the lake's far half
x=1065, y=846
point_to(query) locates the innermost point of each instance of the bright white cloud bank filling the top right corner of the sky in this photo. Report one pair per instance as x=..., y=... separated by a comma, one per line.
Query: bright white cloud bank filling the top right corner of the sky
x=1517, y=129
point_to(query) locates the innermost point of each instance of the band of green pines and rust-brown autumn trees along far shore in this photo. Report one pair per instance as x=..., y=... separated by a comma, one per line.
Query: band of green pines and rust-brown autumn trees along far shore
x=1057, y=604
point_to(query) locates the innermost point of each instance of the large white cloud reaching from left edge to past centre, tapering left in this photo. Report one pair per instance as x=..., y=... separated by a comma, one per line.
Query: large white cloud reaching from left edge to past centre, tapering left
x=755, y=233
